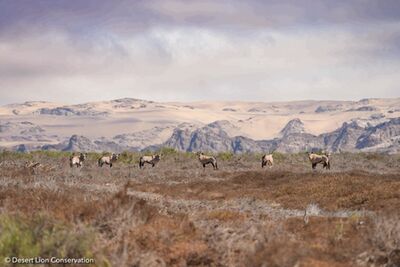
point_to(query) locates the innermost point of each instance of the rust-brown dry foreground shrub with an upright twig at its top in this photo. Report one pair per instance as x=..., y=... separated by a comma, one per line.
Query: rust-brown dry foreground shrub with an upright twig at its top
x=131, y=228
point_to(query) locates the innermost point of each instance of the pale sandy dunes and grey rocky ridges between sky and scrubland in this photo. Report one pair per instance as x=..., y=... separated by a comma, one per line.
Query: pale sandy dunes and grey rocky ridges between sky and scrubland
x=134, y=124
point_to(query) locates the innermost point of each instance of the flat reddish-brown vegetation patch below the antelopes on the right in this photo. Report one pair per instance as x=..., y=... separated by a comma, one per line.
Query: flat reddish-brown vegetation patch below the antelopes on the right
x=350, y=190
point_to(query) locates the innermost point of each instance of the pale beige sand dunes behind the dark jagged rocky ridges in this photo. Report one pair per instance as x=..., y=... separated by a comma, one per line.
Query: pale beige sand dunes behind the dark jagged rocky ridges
x=256, y=120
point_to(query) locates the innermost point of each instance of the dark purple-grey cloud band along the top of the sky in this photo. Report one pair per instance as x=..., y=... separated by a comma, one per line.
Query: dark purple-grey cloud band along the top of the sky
x=124, y=16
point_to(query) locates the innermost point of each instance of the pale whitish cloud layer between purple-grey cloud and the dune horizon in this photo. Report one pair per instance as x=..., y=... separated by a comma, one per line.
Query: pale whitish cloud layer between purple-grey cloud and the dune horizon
x=192, y=63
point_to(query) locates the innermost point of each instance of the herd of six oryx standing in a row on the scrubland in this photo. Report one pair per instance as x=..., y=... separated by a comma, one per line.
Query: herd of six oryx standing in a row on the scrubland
x=266, y=160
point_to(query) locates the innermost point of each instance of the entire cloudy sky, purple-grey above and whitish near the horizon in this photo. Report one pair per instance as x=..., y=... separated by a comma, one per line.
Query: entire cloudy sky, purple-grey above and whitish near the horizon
x=77, y=51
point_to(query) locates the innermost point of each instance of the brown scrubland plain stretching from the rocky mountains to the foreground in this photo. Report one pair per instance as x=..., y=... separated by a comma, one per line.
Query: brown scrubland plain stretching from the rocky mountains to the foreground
x=178, y=214
